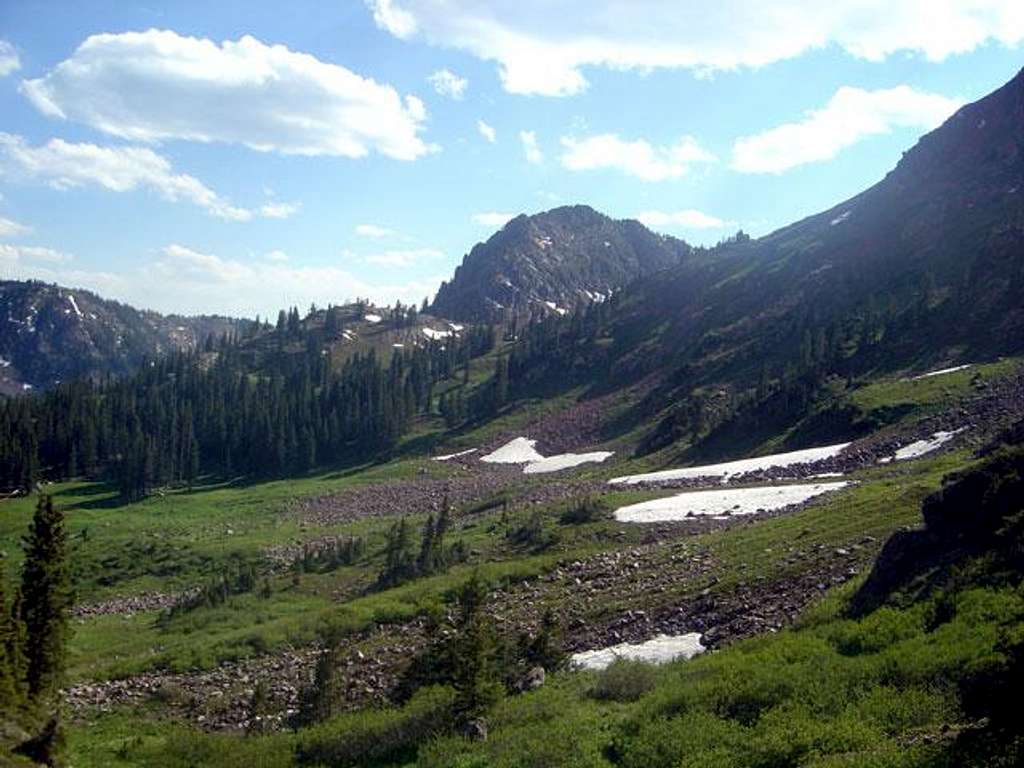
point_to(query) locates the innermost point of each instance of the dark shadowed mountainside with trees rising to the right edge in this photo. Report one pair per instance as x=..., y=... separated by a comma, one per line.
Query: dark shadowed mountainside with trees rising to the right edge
x=924, y=269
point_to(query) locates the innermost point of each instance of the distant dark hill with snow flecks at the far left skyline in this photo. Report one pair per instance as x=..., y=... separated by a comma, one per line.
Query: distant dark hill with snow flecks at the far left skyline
x=51, y=334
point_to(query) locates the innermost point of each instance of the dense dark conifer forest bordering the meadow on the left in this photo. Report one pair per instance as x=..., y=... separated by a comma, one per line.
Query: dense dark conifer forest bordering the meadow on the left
x=229, y=411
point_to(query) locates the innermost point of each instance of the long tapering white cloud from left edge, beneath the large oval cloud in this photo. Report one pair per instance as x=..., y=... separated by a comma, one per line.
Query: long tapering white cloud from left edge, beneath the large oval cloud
x=64, y=165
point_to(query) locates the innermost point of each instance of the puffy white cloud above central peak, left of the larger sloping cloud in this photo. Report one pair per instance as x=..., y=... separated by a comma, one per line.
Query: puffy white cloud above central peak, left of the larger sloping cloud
x=636, y=158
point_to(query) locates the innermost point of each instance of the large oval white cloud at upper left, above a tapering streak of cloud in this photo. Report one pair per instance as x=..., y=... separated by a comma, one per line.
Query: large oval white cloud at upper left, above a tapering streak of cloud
x=154, y=86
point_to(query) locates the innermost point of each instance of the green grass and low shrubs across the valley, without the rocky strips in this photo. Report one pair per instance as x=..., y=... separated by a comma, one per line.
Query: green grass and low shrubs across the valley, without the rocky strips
x=178, y=540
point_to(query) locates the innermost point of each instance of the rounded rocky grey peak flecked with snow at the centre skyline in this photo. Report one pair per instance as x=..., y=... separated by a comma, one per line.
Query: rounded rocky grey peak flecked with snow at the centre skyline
x=551, y=263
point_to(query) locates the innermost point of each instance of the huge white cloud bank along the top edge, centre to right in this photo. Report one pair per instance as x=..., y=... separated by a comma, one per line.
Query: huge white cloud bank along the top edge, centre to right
x=543, y=48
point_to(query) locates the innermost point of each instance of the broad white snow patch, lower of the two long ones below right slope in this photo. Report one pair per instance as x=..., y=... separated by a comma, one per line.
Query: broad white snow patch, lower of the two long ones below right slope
x=723, y=504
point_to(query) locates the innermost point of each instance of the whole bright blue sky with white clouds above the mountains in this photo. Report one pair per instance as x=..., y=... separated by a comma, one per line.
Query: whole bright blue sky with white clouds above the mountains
x=232, y=158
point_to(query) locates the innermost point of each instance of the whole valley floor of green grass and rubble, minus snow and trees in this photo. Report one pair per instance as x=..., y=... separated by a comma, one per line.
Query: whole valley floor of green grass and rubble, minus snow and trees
x=799, y=682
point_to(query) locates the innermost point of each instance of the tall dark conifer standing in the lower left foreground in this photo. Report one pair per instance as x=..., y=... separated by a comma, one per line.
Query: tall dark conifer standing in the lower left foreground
x=47, y=601
